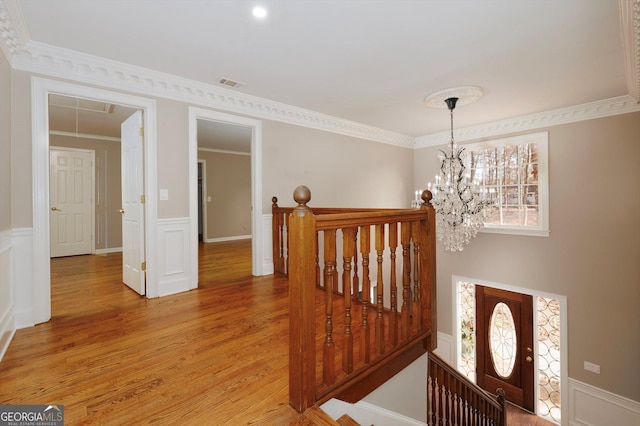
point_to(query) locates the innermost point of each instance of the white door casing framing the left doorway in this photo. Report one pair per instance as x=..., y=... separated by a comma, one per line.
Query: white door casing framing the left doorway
x=40, y=307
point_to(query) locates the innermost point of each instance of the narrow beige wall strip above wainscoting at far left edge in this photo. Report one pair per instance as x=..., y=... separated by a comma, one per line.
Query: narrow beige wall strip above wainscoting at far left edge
x=5, y=144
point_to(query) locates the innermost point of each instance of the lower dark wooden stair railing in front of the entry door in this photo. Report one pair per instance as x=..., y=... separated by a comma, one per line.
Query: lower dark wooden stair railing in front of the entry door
x=452, y=399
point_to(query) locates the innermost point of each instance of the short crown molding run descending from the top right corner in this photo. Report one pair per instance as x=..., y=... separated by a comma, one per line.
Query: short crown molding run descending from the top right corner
x=630, y=29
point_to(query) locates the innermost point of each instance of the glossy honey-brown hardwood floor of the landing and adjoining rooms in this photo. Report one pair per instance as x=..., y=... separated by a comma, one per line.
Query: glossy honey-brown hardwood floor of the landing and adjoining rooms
x=213, y=356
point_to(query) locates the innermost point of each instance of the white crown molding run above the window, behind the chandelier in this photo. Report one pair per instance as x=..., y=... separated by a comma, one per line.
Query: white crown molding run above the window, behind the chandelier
x=614, y=106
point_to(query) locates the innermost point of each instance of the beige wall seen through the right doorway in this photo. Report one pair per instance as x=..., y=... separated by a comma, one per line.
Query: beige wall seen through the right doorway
x=228, y=183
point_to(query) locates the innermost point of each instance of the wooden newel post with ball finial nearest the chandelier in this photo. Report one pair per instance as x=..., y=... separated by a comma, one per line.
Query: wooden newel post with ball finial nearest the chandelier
x=429, y=312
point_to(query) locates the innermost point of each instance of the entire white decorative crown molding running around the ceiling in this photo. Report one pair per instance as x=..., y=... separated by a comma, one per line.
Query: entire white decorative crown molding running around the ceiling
x=44, y=59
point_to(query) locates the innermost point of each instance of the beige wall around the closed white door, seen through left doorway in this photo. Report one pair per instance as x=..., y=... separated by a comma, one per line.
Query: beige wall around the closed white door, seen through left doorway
x=108, y=194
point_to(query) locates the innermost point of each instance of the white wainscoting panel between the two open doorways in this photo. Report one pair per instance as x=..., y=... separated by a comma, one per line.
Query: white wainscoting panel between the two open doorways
x=175, y=273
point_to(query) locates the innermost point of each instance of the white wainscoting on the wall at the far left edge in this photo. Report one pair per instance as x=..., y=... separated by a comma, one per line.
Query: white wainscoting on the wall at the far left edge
x=7, y=320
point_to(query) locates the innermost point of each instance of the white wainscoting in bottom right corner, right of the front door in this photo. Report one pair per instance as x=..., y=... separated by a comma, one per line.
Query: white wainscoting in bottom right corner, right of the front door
x=592, y=406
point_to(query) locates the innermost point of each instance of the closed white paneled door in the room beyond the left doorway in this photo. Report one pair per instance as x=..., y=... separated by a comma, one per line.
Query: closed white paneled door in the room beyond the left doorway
x=71, y=199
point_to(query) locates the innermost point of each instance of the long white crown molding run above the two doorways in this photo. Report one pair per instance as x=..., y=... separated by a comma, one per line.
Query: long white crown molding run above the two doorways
x=53, y=61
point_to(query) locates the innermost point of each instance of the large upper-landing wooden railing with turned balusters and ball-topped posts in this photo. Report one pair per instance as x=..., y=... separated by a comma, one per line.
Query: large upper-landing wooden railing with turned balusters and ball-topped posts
x=344, y=343
